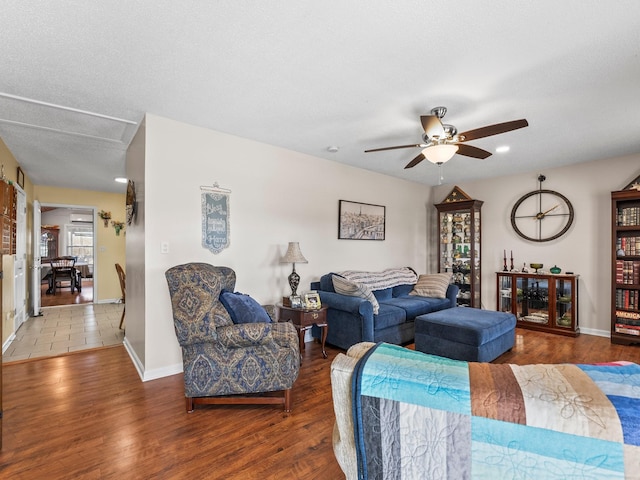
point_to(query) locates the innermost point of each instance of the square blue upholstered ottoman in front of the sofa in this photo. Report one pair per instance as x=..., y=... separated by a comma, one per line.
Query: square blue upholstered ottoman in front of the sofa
x=463, y=333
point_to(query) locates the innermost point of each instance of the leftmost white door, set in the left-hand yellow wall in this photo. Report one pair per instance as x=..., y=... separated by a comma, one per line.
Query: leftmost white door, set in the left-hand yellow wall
x=20, y=263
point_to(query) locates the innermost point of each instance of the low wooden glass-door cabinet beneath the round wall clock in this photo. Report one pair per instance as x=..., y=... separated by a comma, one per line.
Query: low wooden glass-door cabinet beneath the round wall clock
x=546, y=302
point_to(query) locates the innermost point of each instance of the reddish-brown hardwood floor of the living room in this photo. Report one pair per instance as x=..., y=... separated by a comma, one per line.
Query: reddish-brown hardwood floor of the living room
x=88, y=416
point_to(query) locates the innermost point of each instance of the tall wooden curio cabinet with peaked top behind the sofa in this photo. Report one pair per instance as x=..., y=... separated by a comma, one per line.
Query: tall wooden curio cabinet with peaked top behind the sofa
x=459, y=244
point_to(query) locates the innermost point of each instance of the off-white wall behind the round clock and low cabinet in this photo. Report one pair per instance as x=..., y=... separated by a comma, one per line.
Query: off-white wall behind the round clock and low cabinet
x=585, y=249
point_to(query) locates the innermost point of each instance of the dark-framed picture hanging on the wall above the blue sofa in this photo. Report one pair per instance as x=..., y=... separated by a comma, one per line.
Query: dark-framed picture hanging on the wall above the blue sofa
x=361, y=221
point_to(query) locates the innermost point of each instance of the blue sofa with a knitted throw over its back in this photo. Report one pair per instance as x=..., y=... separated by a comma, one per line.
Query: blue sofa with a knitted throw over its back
x=351, y=319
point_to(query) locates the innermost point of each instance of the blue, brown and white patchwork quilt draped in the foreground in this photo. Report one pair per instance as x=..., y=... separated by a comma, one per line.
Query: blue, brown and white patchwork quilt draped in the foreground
x=419, y=416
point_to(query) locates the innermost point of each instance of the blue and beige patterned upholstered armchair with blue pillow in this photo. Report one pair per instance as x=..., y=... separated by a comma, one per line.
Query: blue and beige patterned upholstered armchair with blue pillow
x=227, y=362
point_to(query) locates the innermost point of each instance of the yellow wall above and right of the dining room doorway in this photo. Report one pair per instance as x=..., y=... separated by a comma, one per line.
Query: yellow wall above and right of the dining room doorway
x=110, y=248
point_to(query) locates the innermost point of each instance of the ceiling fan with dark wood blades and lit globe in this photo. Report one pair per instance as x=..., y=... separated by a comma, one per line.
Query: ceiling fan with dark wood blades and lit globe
x=442, y=141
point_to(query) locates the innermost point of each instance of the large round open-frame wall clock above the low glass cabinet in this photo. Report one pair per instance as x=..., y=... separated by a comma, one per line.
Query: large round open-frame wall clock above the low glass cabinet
x=542, y=215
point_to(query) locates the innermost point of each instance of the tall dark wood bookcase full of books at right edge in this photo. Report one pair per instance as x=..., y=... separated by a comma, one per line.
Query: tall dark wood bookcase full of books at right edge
x=625, y=265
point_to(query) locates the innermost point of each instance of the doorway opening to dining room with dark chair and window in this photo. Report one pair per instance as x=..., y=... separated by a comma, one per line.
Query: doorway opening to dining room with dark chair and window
x=66, y=230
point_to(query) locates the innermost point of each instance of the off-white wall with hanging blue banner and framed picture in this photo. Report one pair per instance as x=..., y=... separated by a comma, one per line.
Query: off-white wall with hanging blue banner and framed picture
x=277, y=196
